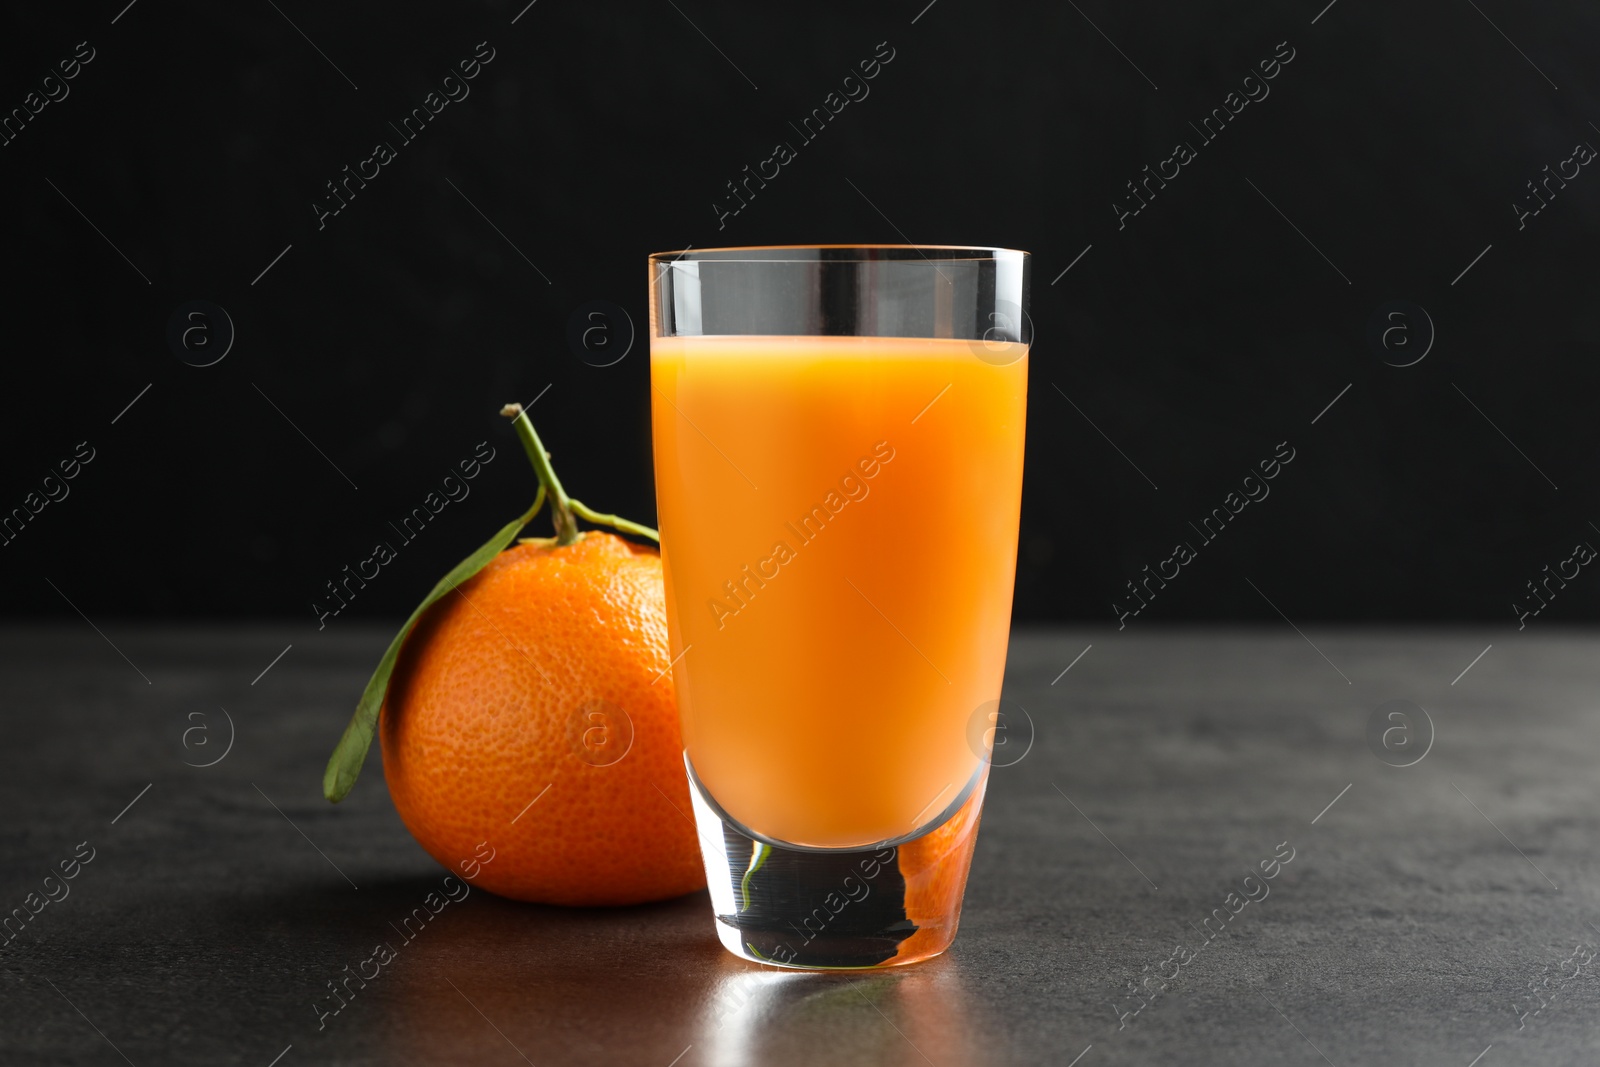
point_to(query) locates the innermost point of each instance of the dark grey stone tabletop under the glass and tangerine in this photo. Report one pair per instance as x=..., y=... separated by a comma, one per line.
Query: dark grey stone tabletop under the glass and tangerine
x=1431, y=914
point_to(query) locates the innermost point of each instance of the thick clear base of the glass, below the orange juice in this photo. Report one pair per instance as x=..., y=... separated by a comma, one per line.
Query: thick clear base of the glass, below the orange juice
x=838, y=909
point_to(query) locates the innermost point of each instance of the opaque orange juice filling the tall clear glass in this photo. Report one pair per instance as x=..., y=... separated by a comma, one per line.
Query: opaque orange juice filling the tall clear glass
x=839, y=522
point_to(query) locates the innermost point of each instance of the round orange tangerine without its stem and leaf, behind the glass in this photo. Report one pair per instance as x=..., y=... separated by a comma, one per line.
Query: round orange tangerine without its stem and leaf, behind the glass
x=534, y=711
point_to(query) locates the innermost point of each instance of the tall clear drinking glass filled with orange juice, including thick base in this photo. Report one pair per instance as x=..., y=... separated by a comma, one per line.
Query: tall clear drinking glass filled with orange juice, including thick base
x=839, y=473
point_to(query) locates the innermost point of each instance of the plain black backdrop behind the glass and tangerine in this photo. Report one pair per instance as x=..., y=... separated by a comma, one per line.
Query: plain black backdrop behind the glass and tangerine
x=1196, y=338
